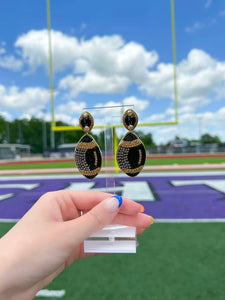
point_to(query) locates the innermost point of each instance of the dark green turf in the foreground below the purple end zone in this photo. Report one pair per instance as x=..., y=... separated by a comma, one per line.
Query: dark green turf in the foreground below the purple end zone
x=173, y=262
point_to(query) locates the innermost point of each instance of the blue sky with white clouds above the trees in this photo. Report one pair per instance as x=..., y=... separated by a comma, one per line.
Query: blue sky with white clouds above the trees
x=113, y=53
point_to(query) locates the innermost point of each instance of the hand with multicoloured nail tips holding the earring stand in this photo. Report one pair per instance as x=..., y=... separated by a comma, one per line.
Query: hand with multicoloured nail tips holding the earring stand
x=50, y=237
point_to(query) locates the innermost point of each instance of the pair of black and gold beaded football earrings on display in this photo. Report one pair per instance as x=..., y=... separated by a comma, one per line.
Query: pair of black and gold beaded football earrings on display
x=130, y=154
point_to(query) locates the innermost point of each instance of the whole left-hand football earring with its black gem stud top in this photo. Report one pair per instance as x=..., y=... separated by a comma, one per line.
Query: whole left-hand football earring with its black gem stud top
x=88, y=155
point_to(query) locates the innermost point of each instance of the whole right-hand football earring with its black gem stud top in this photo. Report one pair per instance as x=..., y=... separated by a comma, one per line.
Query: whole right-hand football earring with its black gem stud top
x=131, y=153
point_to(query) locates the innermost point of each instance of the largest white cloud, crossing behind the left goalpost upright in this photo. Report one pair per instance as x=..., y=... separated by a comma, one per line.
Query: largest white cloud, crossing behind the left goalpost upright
x=108, y=63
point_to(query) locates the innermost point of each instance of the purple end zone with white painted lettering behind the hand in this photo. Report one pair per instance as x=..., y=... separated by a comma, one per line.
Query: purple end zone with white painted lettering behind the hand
x=165, y=197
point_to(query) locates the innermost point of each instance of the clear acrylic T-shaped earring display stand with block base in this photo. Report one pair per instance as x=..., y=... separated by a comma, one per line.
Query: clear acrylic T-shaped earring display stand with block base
x=112, y=238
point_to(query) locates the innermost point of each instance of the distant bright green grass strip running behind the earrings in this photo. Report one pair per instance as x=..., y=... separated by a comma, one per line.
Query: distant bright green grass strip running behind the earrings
x=162, y=161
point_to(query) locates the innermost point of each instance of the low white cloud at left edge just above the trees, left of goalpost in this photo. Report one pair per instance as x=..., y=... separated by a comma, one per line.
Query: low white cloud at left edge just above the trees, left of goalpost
x=30, y=100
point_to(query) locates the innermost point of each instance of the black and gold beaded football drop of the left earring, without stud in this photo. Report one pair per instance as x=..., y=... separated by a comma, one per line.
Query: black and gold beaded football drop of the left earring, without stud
x=88, y=157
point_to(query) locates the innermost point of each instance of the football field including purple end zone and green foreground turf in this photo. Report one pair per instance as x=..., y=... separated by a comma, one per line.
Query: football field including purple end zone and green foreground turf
x=180, y=257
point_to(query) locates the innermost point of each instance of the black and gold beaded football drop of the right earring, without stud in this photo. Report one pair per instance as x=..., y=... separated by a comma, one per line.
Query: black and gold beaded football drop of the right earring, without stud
x=131, y=154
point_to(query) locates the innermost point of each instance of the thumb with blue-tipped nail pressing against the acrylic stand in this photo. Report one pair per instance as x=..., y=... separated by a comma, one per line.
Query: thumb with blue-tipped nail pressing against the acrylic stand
x=97, y=218
